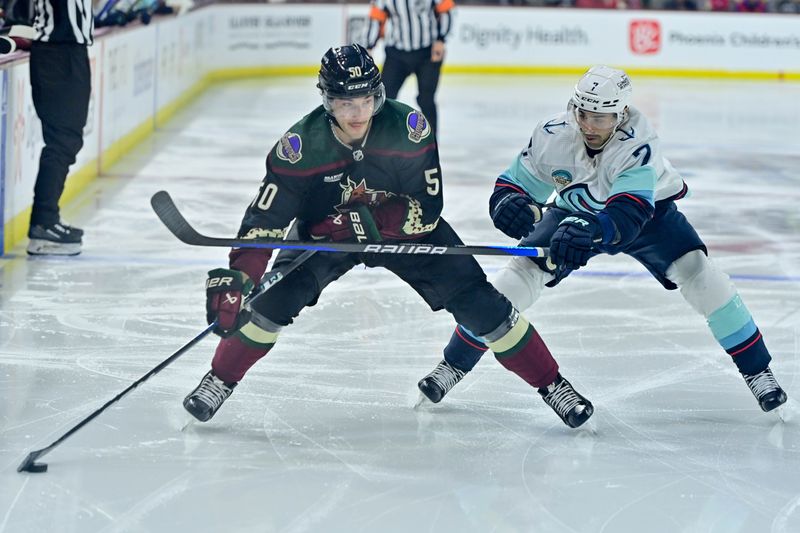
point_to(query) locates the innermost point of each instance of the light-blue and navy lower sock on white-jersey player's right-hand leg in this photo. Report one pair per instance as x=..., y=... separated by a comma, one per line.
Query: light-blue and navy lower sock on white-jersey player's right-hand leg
x=734, y=329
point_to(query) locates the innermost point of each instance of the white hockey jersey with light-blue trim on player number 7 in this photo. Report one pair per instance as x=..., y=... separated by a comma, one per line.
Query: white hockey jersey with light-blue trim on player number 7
x=556, y=159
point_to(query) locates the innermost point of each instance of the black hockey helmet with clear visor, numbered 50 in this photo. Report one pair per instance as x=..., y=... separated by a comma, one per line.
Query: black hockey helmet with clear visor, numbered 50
x=350, y=72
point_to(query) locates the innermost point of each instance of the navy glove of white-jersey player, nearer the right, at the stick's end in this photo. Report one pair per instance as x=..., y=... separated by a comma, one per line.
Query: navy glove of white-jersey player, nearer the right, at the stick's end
x=572, y=243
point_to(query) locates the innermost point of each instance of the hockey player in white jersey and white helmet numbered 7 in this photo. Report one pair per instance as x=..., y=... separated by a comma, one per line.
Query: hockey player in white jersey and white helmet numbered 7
x=615, y=193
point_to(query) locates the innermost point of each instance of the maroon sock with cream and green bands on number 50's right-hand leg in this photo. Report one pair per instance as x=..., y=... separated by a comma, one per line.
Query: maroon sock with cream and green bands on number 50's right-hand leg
x=522, y=351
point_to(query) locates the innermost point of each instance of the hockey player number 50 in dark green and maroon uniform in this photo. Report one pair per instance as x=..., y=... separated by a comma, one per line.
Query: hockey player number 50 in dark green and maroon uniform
x=359, y=168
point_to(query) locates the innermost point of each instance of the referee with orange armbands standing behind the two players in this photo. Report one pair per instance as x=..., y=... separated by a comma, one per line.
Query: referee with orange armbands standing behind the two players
x=414, y=40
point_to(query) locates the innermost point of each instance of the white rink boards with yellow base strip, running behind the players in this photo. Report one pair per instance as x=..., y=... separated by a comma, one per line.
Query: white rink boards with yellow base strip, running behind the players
x=142, y=74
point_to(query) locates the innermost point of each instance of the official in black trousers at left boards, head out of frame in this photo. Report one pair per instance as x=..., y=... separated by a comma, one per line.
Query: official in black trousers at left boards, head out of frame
x=61, y=87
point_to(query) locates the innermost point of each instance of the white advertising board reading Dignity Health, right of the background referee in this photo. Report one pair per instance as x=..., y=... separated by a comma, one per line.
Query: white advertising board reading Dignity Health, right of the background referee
x=518, y=37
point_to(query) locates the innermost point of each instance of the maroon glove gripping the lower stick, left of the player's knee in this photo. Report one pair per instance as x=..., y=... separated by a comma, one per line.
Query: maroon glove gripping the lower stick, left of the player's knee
x=225, y=292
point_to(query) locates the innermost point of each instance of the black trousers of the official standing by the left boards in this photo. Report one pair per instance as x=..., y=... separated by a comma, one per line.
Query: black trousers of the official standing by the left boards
x=61, y=87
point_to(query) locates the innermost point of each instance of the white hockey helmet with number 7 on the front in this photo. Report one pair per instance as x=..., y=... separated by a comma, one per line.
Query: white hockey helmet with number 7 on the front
x=603, y=90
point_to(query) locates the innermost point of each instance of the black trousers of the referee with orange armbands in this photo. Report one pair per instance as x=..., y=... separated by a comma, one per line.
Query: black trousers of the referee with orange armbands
x=400, y=65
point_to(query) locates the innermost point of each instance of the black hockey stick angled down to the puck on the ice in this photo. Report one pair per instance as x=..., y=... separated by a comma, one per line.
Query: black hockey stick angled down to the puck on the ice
x=30, y=464
